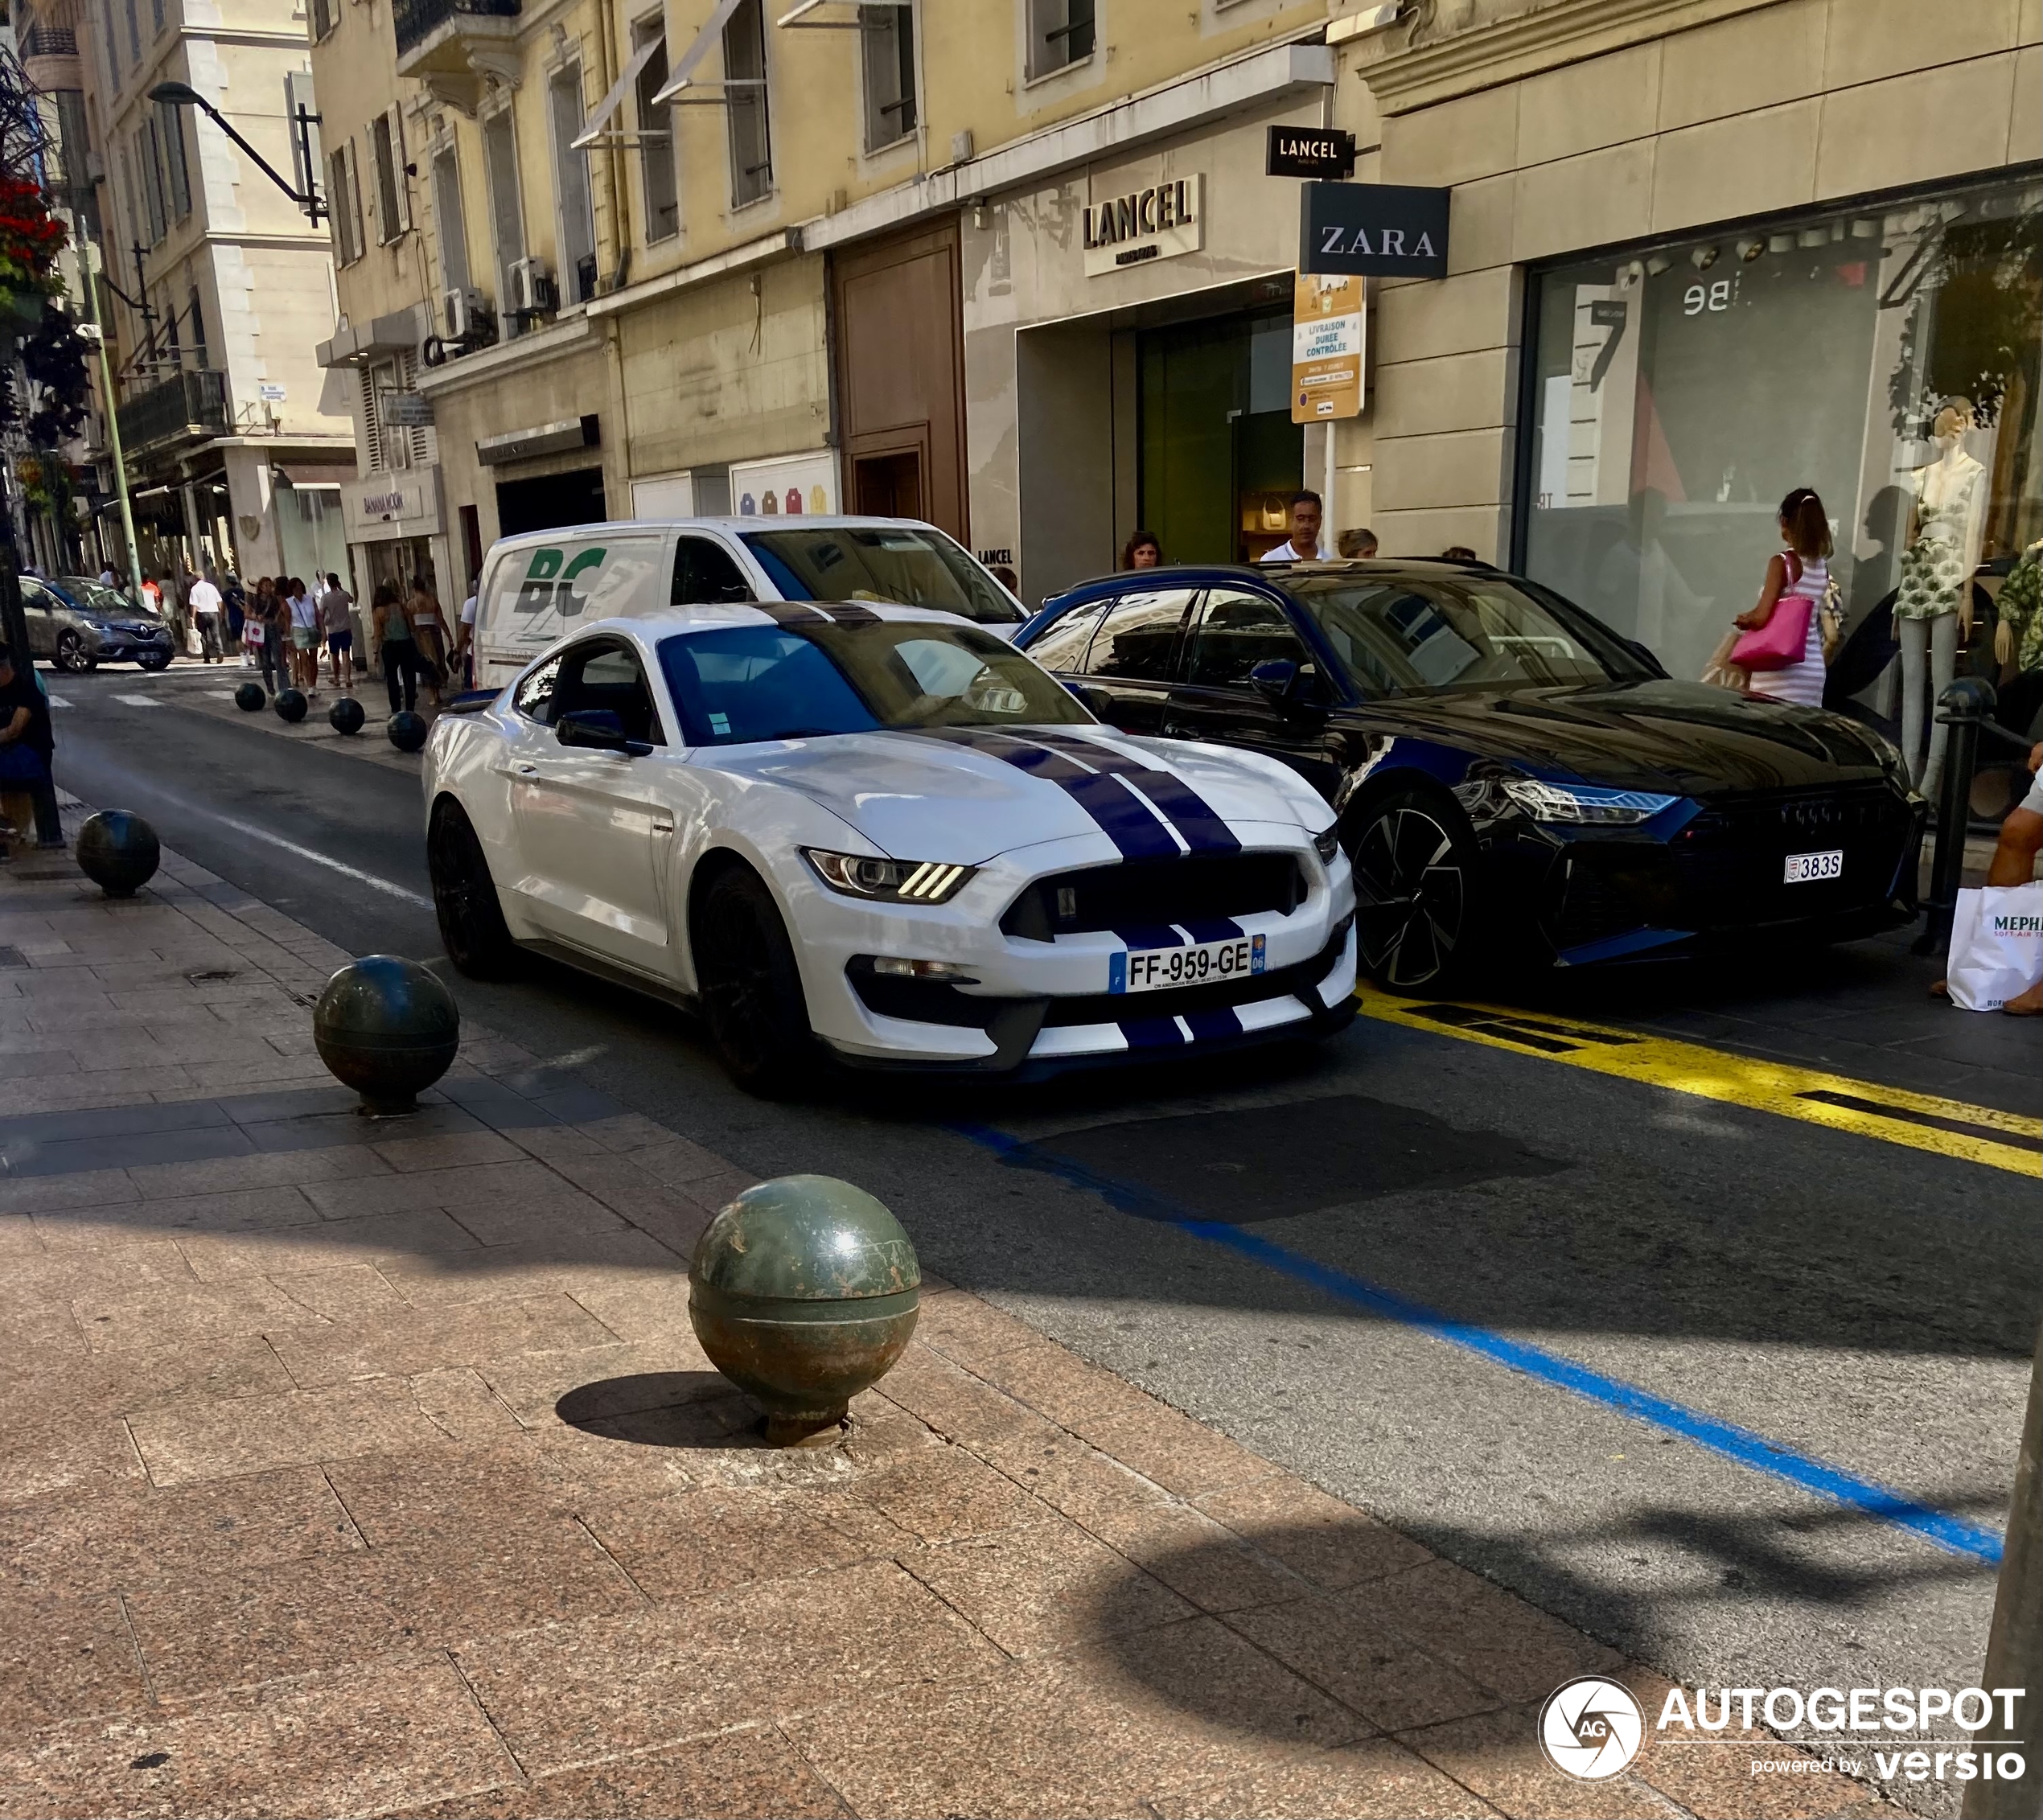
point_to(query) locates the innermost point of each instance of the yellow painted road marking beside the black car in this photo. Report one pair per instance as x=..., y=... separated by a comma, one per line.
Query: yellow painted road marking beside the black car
x=1868, y=1110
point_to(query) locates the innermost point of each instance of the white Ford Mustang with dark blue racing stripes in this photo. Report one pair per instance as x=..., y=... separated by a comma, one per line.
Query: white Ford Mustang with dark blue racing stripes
x=886, y=836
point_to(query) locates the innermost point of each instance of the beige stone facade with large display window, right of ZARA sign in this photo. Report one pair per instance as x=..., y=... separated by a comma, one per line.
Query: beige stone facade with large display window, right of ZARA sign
x=1703, y=254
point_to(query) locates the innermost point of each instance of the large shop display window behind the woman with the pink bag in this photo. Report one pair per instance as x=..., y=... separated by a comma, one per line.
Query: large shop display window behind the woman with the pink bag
x=1885, y=354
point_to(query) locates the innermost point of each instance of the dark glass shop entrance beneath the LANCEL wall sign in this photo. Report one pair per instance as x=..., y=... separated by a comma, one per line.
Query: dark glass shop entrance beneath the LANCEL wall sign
x=1219, y=452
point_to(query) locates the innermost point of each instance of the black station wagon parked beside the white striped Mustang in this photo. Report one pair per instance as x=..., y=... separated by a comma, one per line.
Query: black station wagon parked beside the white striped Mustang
x=1511, y=777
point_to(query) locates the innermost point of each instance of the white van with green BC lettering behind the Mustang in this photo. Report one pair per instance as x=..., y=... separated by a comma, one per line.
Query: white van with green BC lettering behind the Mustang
x=540, y=585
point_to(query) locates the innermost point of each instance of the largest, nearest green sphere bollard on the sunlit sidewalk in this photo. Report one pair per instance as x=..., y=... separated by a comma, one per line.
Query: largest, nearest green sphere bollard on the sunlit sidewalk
x=804, y=1294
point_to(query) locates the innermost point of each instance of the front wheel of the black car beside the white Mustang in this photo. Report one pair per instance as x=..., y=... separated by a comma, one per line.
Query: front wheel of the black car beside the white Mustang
x=1413, y=894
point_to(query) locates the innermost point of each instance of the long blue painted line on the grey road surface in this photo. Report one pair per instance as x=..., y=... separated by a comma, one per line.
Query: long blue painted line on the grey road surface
x=1537, y=1363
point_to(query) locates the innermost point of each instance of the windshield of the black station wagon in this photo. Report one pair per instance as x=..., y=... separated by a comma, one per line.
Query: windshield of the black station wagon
x=1411, y=636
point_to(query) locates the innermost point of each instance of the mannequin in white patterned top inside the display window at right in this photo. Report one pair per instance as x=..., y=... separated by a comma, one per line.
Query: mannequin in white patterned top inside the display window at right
x=1934, y=610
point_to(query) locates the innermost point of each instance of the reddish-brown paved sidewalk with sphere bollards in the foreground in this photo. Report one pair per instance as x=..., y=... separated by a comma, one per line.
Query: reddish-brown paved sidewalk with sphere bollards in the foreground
x=371, y=1468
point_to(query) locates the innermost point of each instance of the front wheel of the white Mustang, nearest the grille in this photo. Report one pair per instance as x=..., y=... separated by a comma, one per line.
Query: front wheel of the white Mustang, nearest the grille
x=751, y=988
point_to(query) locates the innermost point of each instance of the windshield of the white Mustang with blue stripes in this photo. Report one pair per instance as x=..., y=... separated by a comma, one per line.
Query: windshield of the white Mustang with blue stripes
x=743, y=683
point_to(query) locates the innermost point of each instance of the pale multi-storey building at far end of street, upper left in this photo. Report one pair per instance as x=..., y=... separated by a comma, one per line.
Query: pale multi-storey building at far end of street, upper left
x=220, y=285
